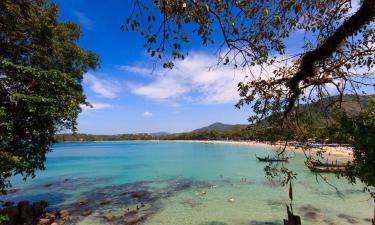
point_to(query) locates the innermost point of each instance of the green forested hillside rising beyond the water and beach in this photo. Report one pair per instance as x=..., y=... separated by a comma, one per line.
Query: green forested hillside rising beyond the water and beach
x=318, y=113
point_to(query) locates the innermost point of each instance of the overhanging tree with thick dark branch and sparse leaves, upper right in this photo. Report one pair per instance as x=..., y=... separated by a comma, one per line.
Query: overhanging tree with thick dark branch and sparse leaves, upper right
x=336, y=54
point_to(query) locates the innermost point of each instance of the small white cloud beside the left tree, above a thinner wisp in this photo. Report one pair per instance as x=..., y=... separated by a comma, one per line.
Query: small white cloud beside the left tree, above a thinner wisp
x=104, y=88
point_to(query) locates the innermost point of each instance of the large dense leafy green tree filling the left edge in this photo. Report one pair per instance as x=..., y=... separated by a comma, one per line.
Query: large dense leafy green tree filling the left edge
x=41, y=69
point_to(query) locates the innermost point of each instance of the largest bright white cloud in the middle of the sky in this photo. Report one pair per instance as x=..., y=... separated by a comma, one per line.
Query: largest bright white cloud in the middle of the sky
x=196, y=78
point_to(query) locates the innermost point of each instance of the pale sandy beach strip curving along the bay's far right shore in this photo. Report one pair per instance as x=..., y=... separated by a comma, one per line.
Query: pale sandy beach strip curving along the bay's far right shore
x=331, y=152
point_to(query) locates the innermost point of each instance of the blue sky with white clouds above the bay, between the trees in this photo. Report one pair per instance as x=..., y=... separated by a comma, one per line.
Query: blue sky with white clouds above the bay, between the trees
x=129, y=95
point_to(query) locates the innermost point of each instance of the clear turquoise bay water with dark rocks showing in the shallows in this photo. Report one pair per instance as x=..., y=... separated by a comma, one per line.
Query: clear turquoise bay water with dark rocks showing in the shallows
x=184, y=183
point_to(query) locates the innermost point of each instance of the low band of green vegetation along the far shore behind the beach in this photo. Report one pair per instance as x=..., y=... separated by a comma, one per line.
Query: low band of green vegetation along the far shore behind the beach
x=321, y=129
